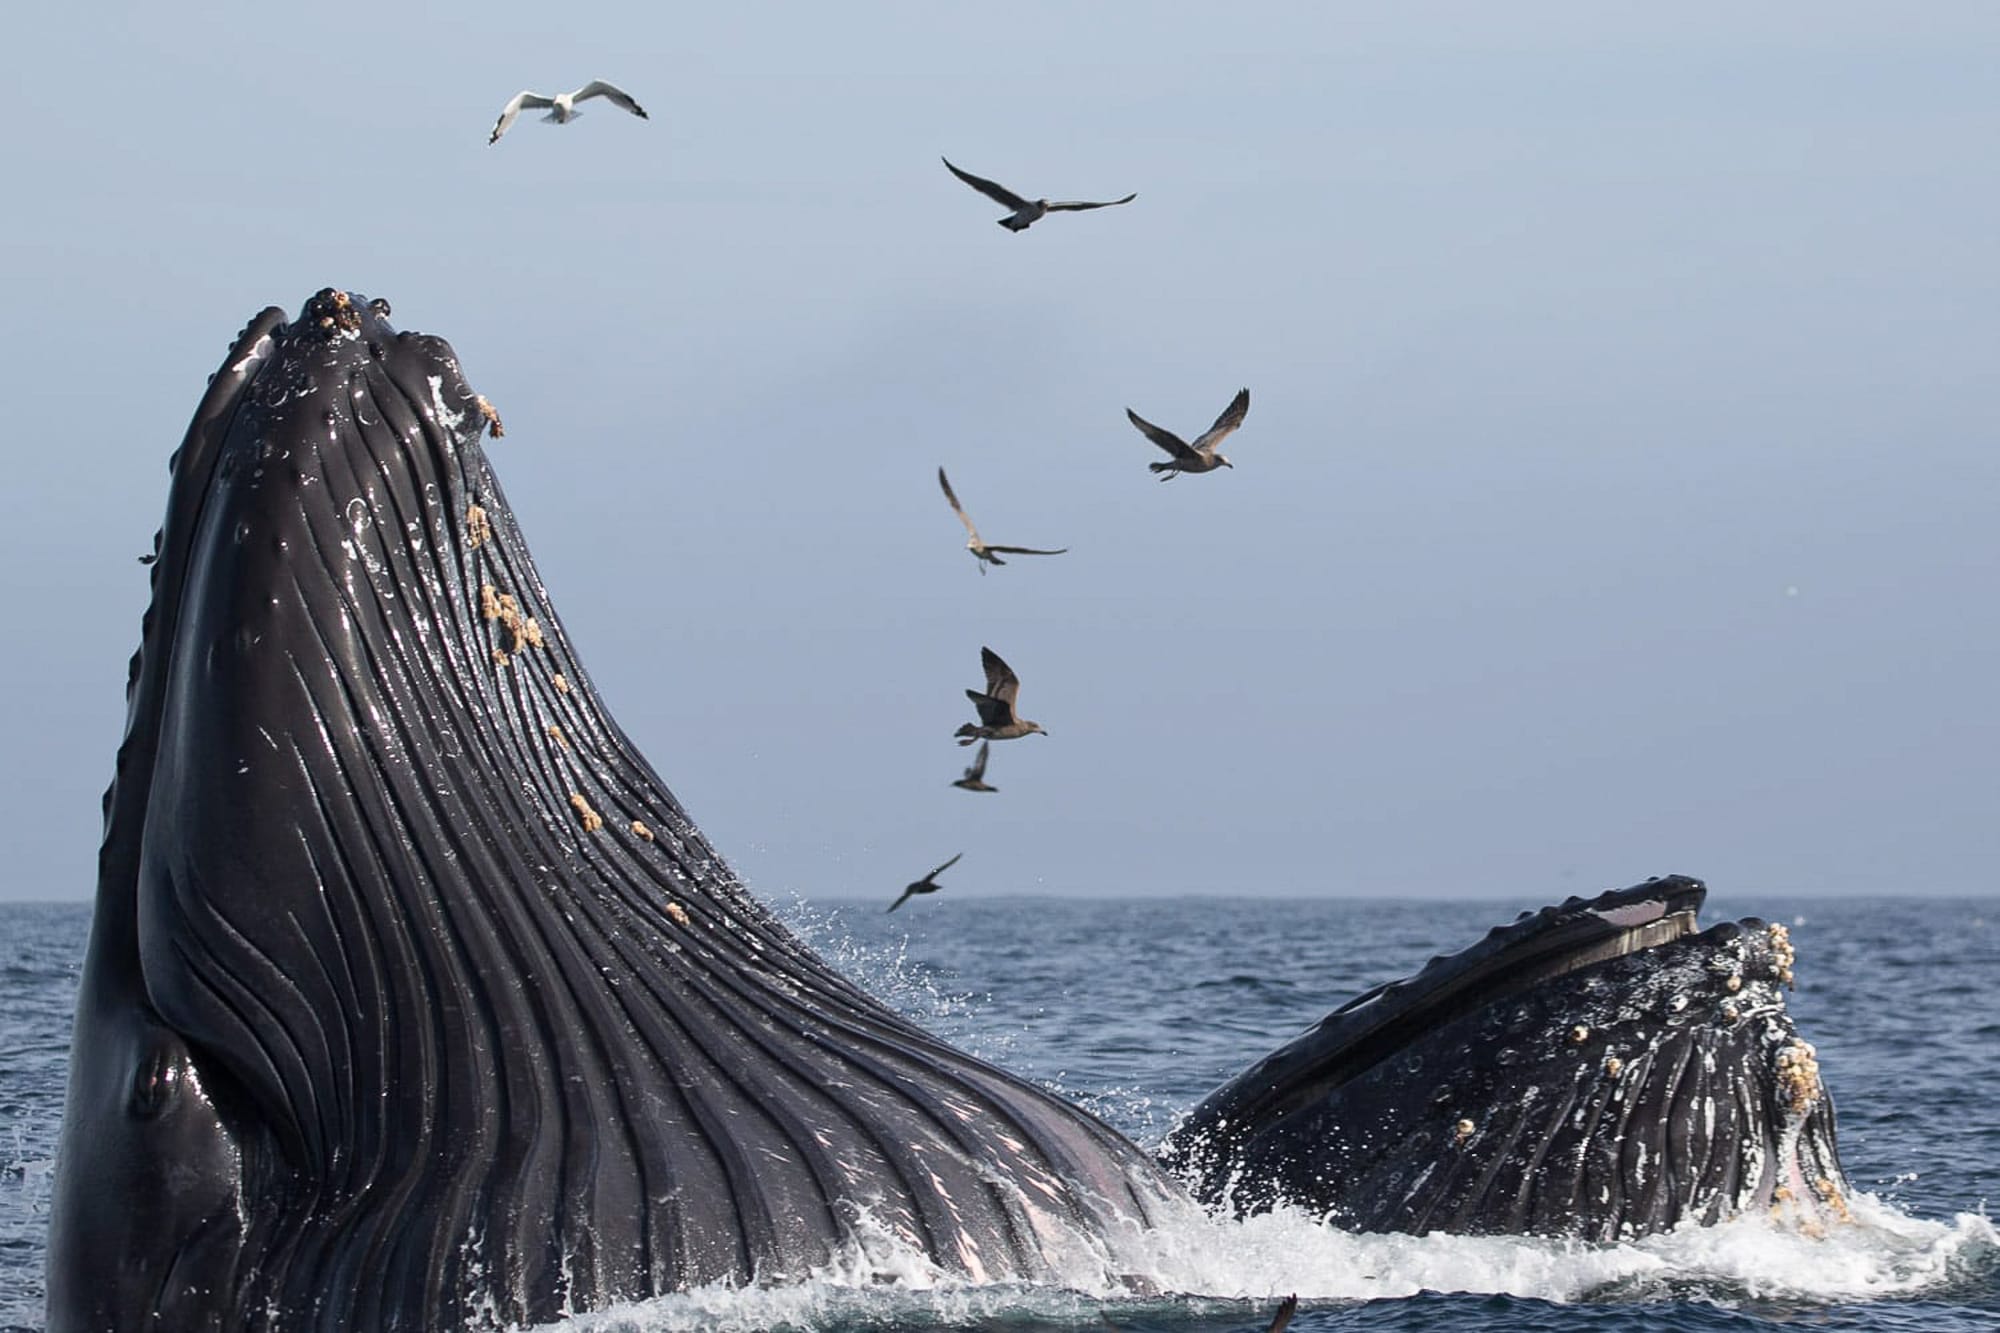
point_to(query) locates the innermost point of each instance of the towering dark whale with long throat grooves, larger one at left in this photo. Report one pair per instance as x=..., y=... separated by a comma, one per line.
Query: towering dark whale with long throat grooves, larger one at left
x=415, y=998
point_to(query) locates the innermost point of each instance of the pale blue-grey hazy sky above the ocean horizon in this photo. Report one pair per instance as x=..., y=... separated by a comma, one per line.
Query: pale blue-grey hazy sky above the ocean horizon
x=1619, y=491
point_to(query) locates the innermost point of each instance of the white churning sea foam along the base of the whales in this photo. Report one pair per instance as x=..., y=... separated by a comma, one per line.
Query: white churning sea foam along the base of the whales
x=1207, y=1266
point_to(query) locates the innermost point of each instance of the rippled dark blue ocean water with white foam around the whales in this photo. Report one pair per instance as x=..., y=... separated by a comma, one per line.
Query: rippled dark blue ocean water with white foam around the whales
x=1139, y=1008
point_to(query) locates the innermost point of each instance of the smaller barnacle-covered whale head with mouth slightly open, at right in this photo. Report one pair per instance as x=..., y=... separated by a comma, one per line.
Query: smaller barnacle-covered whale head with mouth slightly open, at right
x=1599, y=1070
